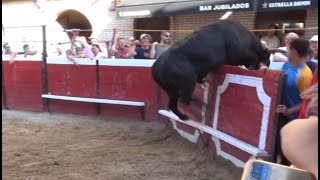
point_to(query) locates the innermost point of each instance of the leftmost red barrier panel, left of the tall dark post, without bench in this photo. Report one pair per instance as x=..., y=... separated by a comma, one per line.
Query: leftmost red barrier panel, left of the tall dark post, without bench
x=23, y=82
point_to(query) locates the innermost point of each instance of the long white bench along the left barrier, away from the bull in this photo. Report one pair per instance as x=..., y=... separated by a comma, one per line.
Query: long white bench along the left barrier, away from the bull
x=98, y=100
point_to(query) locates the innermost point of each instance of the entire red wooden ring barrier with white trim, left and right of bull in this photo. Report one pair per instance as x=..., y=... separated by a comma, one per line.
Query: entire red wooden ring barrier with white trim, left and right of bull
x=237, y=102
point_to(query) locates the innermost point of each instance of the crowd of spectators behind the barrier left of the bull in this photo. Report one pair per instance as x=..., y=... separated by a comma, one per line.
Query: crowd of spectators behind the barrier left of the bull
x=122, y=48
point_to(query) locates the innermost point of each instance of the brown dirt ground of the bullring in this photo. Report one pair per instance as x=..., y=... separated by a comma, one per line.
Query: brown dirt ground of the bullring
x=55, y=146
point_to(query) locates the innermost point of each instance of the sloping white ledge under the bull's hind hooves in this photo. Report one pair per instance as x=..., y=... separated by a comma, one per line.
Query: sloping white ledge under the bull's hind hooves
x=218, y=134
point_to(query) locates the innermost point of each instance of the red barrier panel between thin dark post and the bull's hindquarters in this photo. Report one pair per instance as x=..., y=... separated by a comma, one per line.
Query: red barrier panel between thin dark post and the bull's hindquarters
x=130, y=84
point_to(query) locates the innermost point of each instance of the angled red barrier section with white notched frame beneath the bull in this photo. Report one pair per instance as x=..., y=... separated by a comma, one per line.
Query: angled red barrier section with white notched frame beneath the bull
x=241, y=104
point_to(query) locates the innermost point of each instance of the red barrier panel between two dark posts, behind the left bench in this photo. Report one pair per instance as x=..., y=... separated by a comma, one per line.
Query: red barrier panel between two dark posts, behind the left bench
x=70, y=80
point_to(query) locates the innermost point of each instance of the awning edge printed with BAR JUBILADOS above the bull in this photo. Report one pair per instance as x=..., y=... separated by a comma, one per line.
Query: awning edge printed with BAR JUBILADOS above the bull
x=176, y=7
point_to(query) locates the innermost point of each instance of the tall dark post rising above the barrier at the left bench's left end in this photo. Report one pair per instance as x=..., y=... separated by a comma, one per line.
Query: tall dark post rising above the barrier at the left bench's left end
x=44, y=69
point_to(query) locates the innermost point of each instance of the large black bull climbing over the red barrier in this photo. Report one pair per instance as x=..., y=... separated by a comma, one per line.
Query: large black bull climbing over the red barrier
x=188, y=61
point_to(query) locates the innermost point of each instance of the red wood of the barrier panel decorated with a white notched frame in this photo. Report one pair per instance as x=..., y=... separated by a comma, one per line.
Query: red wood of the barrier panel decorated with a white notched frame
x=240, y=110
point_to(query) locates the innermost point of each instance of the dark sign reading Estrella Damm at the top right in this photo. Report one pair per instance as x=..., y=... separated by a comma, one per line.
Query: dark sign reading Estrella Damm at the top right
x=272, y=5
